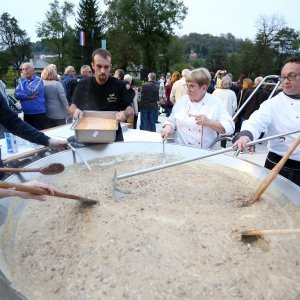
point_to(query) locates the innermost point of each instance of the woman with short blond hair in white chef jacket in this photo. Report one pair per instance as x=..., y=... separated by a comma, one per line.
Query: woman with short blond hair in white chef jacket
x=198, y=117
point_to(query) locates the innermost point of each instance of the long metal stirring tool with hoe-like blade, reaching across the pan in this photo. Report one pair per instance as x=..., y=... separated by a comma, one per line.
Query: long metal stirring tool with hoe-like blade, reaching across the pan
x=117, y=194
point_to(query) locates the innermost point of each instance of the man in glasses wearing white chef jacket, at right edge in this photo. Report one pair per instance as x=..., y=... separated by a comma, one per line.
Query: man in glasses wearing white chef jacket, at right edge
x=277, y=115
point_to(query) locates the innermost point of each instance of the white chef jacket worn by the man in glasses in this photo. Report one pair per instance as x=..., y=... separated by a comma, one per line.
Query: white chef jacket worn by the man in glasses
x=277, y=115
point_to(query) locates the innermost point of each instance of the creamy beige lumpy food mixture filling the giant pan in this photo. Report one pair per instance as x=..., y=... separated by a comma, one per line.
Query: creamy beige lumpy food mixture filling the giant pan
x=176, y=235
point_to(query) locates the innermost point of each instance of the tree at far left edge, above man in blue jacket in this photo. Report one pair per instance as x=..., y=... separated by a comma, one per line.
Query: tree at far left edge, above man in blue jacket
x=14, y=43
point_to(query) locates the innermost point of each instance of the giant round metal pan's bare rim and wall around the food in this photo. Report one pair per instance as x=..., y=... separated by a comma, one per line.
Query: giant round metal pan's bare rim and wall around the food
x=287, y=191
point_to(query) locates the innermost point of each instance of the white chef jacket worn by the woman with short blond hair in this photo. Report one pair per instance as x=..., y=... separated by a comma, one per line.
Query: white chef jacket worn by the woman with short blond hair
x=182, y=120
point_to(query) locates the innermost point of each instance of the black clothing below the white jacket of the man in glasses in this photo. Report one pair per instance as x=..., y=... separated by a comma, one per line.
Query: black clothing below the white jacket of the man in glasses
x=290, y=170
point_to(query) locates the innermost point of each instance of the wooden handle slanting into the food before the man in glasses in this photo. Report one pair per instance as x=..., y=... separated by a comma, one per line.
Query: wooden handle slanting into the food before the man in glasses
x=273, y=173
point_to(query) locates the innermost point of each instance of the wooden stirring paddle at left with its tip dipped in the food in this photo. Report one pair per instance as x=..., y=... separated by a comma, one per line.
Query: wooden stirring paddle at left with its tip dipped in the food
x=41, y=191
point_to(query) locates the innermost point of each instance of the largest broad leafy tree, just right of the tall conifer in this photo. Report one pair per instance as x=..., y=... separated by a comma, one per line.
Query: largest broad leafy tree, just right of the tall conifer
x=148, y=22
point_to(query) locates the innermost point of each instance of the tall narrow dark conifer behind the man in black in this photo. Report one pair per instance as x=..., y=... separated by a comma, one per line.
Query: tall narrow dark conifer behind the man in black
x=90, y=20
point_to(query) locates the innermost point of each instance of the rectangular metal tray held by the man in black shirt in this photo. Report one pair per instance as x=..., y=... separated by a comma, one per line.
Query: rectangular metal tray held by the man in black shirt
x=96, y=135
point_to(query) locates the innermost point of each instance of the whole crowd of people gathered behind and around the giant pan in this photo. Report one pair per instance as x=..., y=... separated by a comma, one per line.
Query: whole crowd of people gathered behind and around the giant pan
x=199, y=105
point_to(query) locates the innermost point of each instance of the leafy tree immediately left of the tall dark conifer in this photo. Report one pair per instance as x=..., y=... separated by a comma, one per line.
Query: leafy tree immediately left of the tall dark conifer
x=55, y=31
